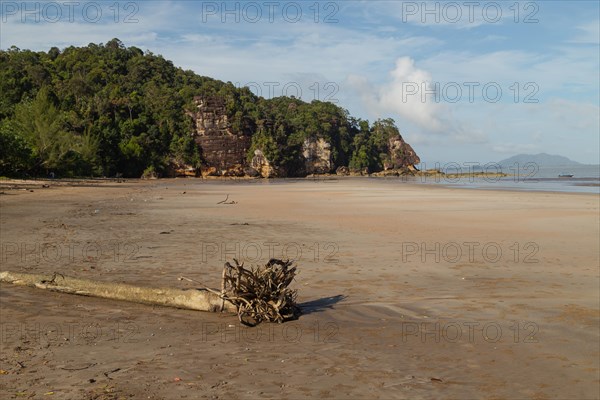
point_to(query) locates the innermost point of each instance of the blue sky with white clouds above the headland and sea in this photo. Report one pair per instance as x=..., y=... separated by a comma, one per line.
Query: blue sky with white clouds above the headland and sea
x=466, y=81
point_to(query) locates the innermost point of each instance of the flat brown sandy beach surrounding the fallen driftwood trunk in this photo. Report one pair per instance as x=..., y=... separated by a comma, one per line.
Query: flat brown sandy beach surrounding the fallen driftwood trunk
x=405, y=293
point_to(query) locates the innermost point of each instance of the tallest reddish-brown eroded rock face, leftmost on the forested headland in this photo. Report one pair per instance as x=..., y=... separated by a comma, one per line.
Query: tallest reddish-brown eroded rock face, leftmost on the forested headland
x=223, y=151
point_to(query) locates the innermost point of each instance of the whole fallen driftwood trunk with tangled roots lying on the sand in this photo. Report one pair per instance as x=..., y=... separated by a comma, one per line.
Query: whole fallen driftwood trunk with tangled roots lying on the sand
x=257, y=294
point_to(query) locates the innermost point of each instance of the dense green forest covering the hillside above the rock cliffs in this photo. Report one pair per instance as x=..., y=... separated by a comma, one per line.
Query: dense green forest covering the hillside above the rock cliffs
x=106, y=109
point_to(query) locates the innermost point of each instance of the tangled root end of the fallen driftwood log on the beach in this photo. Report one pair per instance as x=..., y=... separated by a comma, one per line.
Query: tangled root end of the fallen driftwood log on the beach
x=262, y=293
